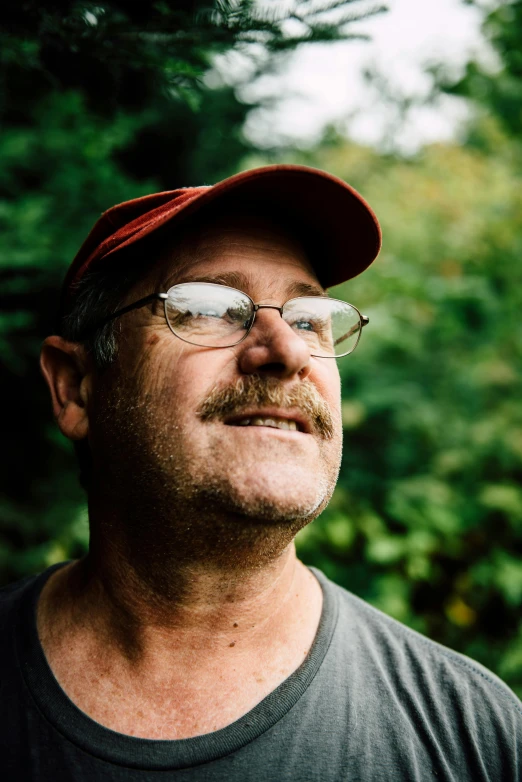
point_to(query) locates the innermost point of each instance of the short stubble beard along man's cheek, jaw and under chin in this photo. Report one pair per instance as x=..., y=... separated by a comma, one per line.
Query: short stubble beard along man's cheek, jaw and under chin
x=161, y=504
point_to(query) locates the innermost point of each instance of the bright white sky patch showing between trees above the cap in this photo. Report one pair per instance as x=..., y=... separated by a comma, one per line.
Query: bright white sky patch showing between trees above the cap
x=324, y=83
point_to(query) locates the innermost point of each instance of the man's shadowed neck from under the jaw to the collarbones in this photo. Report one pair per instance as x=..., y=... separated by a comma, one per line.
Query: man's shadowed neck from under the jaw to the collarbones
x=155, y=564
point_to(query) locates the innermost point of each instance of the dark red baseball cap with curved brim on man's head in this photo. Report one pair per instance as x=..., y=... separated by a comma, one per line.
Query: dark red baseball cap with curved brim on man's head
x=320, y=202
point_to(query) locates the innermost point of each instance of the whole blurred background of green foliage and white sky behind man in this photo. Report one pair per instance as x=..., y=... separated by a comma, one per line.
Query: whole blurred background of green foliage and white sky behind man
x=419, y=106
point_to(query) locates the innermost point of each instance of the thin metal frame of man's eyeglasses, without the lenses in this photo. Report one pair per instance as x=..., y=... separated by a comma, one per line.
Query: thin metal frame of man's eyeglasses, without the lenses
x=363, y=319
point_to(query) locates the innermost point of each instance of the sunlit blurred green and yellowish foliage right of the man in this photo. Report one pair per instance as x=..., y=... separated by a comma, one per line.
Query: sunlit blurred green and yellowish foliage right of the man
x=426, y=522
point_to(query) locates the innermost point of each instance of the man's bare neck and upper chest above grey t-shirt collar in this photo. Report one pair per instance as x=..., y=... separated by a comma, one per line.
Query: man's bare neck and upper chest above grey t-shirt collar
x=202, y=642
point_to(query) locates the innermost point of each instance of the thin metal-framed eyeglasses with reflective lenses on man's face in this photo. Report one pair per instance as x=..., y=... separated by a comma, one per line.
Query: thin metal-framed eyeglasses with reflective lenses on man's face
x=217, y=316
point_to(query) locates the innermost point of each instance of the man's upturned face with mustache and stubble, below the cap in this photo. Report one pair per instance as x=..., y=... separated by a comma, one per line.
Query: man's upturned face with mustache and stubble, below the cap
x=147, y=431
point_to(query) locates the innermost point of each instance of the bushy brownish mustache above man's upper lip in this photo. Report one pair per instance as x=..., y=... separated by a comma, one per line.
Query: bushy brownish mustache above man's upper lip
x=259, y=391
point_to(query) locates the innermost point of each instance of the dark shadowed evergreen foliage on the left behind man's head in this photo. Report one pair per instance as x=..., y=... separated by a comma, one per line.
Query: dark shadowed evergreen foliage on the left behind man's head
x=101, y=102
